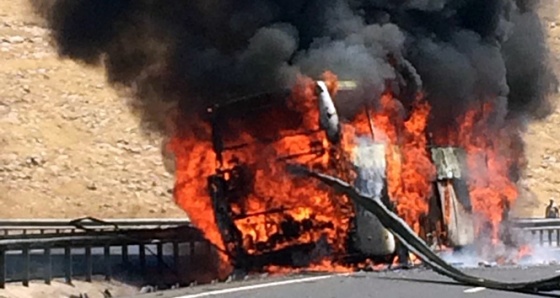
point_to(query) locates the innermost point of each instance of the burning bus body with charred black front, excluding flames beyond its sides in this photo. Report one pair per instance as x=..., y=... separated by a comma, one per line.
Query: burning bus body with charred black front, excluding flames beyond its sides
x=266, y=217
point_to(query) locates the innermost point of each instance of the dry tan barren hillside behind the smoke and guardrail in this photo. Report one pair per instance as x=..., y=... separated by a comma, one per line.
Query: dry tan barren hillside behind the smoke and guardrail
x=69, y=147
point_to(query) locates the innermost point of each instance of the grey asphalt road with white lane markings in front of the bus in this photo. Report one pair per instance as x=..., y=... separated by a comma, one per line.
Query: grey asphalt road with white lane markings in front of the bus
x=417, y=283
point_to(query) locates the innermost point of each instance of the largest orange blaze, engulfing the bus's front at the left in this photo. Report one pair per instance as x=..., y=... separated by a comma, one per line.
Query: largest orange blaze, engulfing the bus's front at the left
x=275, y=198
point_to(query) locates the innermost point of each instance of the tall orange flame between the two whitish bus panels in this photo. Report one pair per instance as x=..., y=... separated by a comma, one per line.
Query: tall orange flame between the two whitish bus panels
x=409, y=167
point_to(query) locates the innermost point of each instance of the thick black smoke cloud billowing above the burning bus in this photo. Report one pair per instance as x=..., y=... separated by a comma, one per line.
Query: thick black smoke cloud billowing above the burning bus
x=196, y=53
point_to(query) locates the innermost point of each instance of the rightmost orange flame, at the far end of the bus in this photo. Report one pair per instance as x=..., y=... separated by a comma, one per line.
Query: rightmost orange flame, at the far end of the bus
x=490, y=157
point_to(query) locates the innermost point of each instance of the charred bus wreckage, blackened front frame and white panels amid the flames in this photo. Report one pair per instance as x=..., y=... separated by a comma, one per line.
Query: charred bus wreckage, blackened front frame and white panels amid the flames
x=368, y=238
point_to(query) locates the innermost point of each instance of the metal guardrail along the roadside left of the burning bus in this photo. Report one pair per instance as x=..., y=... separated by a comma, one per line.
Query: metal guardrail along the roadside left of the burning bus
x=88, y=246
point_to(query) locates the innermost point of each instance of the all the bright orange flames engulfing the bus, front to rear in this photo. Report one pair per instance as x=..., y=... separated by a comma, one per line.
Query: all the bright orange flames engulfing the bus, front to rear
x=273, y=197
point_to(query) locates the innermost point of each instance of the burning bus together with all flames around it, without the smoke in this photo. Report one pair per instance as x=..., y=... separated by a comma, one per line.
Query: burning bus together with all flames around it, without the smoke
x=452, y=187
